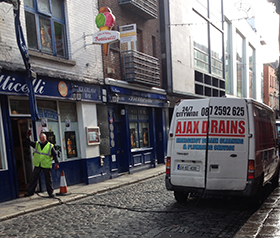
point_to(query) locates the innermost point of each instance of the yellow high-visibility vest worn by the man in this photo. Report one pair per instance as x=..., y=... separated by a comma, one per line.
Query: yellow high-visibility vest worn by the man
x=43, y=157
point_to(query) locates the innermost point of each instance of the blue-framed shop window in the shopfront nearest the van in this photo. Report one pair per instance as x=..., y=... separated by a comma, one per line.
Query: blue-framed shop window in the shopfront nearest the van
x=139, y=128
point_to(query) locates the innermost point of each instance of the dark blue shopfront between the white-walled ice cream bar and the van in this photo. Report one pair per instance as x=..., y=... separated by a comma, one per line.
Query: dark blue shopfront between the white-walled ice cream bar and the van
x=137, y=122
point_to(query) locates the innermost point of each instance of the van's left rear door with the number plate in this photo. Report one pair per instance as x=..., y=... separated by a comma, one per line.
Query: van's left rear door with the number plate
x=188, y=147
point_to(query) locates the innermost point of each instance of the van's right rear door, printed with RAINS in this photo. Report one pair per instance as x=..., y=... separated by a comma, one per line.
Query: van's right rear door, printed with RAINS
x=227, y=157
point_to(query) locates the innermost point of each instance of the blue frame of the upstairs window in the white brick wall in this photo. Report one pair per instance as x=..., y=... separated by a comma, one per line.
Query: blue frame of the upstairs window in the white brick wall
x=52, y=19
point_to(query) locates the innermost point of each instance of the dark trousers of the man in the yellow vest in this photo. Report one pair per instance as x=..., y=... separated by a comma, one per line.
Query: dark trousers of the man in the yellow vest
x=35, y=176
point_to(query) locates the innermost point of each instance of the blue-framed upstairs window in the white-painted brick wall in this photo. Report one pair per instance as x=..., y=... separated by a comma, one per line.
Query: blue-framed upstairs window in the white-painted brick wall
x=45, y=26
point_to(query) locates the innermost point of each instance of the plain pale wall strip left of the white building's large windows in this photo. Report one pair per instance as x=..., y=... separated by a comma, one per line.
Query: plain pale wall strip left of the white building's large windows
x=181, y=45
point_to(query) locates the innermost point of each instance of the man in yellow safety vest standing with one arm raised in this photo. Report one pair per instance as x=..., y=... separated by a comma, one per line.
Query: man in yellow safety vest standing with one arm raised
x=42, y=160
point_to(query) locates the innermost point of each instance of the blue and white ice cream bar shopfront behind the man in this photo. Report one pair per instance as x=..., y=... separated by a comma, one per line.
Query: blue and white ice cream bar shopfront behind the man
x=58, y=111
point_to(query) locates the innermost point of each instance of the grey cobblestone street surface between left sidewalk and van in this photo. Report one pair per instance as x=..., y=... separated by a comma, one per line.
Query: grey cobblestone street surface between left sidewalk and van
x=144, y=209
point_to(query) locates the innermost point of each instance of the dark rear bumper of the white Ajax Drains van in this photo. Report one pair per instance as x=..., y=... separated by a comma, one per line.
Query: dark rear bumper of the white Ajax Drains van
x=251, y=189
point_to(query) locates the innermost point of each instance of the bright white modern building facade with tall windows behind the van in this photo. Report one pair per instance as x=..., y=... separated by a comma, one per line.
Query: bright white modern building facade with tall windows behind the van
x=210, y=50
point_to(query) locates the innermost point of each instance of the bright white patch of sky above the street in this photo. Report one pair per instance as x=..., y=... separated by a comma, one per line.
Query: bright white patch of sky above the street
x=267, y=25
